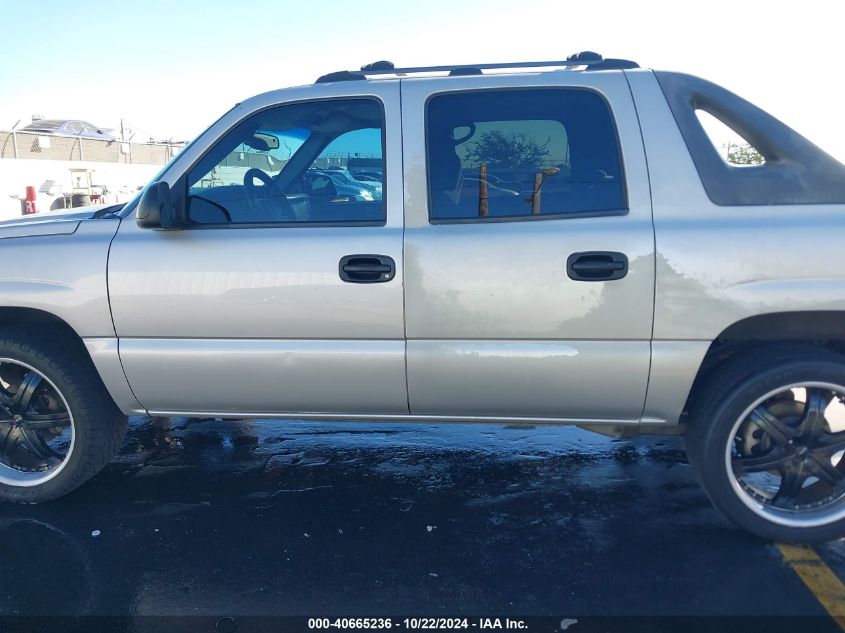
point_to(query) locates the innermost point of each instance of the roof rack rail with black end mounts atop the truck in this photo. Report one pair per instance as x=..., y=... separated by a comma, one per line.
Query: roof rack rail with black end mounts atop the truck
x=588, y=59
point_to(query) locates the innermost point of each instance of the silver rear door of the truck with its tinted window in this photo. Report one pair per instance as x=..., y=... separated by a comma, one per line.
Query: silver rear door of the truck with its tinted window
x=529, y=247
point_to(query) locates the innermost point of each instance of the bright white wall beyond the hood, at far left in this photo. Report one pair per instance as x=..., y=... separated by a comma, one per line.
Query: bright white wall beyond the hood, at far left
x=52, y=178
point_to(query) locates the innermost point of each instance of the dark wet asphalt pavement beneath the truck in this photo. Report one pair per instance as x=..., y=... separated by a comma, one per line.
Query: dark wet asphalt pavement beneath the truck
x=252, y=518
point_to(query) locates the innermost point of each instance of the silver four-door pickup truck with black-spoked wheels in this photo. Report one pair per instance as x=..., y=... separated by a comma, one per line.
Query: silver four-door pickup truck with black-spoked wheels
x=539, y=243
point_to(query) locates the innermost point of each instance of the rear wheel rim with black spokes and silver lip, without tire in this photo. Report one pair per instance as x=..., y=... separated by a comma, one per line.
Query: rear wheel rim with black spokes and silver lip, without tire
x=786, y=455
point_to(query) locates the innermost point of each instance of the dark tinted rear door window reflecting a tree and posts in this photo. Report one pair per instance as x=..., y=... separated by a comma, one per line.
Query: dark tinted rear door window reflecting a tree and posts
x=516, y=153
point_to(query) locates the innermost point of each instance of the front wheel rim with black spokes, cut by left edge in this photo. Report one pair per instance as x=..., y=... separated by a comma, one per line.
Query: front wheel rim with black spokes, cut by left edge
x=36, y=426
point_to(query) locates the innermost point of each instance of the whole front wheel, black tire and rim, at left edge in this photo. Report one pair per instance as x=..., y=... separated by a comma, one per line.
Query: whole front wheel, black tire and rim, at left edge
x=58, y=424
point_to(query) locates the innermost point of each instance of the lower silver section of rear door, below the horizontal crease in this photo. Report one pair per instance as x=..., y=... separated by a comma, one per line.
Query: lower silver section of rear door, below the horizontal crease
x=546, y=379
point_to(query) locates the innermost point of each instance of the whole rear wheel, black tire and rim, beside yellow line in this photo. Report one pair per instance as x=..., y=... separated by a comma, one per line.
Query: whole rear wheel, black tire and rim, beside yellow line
x=768, y=460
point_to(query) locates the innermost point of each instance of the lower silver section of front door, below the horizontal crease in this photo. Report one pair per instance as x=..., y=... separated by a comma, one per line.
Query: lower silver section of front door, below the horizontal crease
x=267, y=376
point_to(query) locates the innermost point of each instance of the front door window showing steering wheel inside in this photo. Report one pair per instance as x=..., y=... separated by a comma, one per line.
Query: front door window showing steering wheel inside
x=293, y=163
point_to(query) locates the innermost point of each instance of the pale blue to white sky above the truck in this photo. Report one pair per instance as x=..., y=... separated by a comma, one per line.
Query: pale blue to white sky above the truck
x=171, y=68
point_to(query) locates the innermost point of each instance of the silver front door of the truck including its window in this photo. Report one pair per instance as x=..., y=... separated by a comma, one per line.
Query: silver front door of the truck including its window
x=284, y=292
